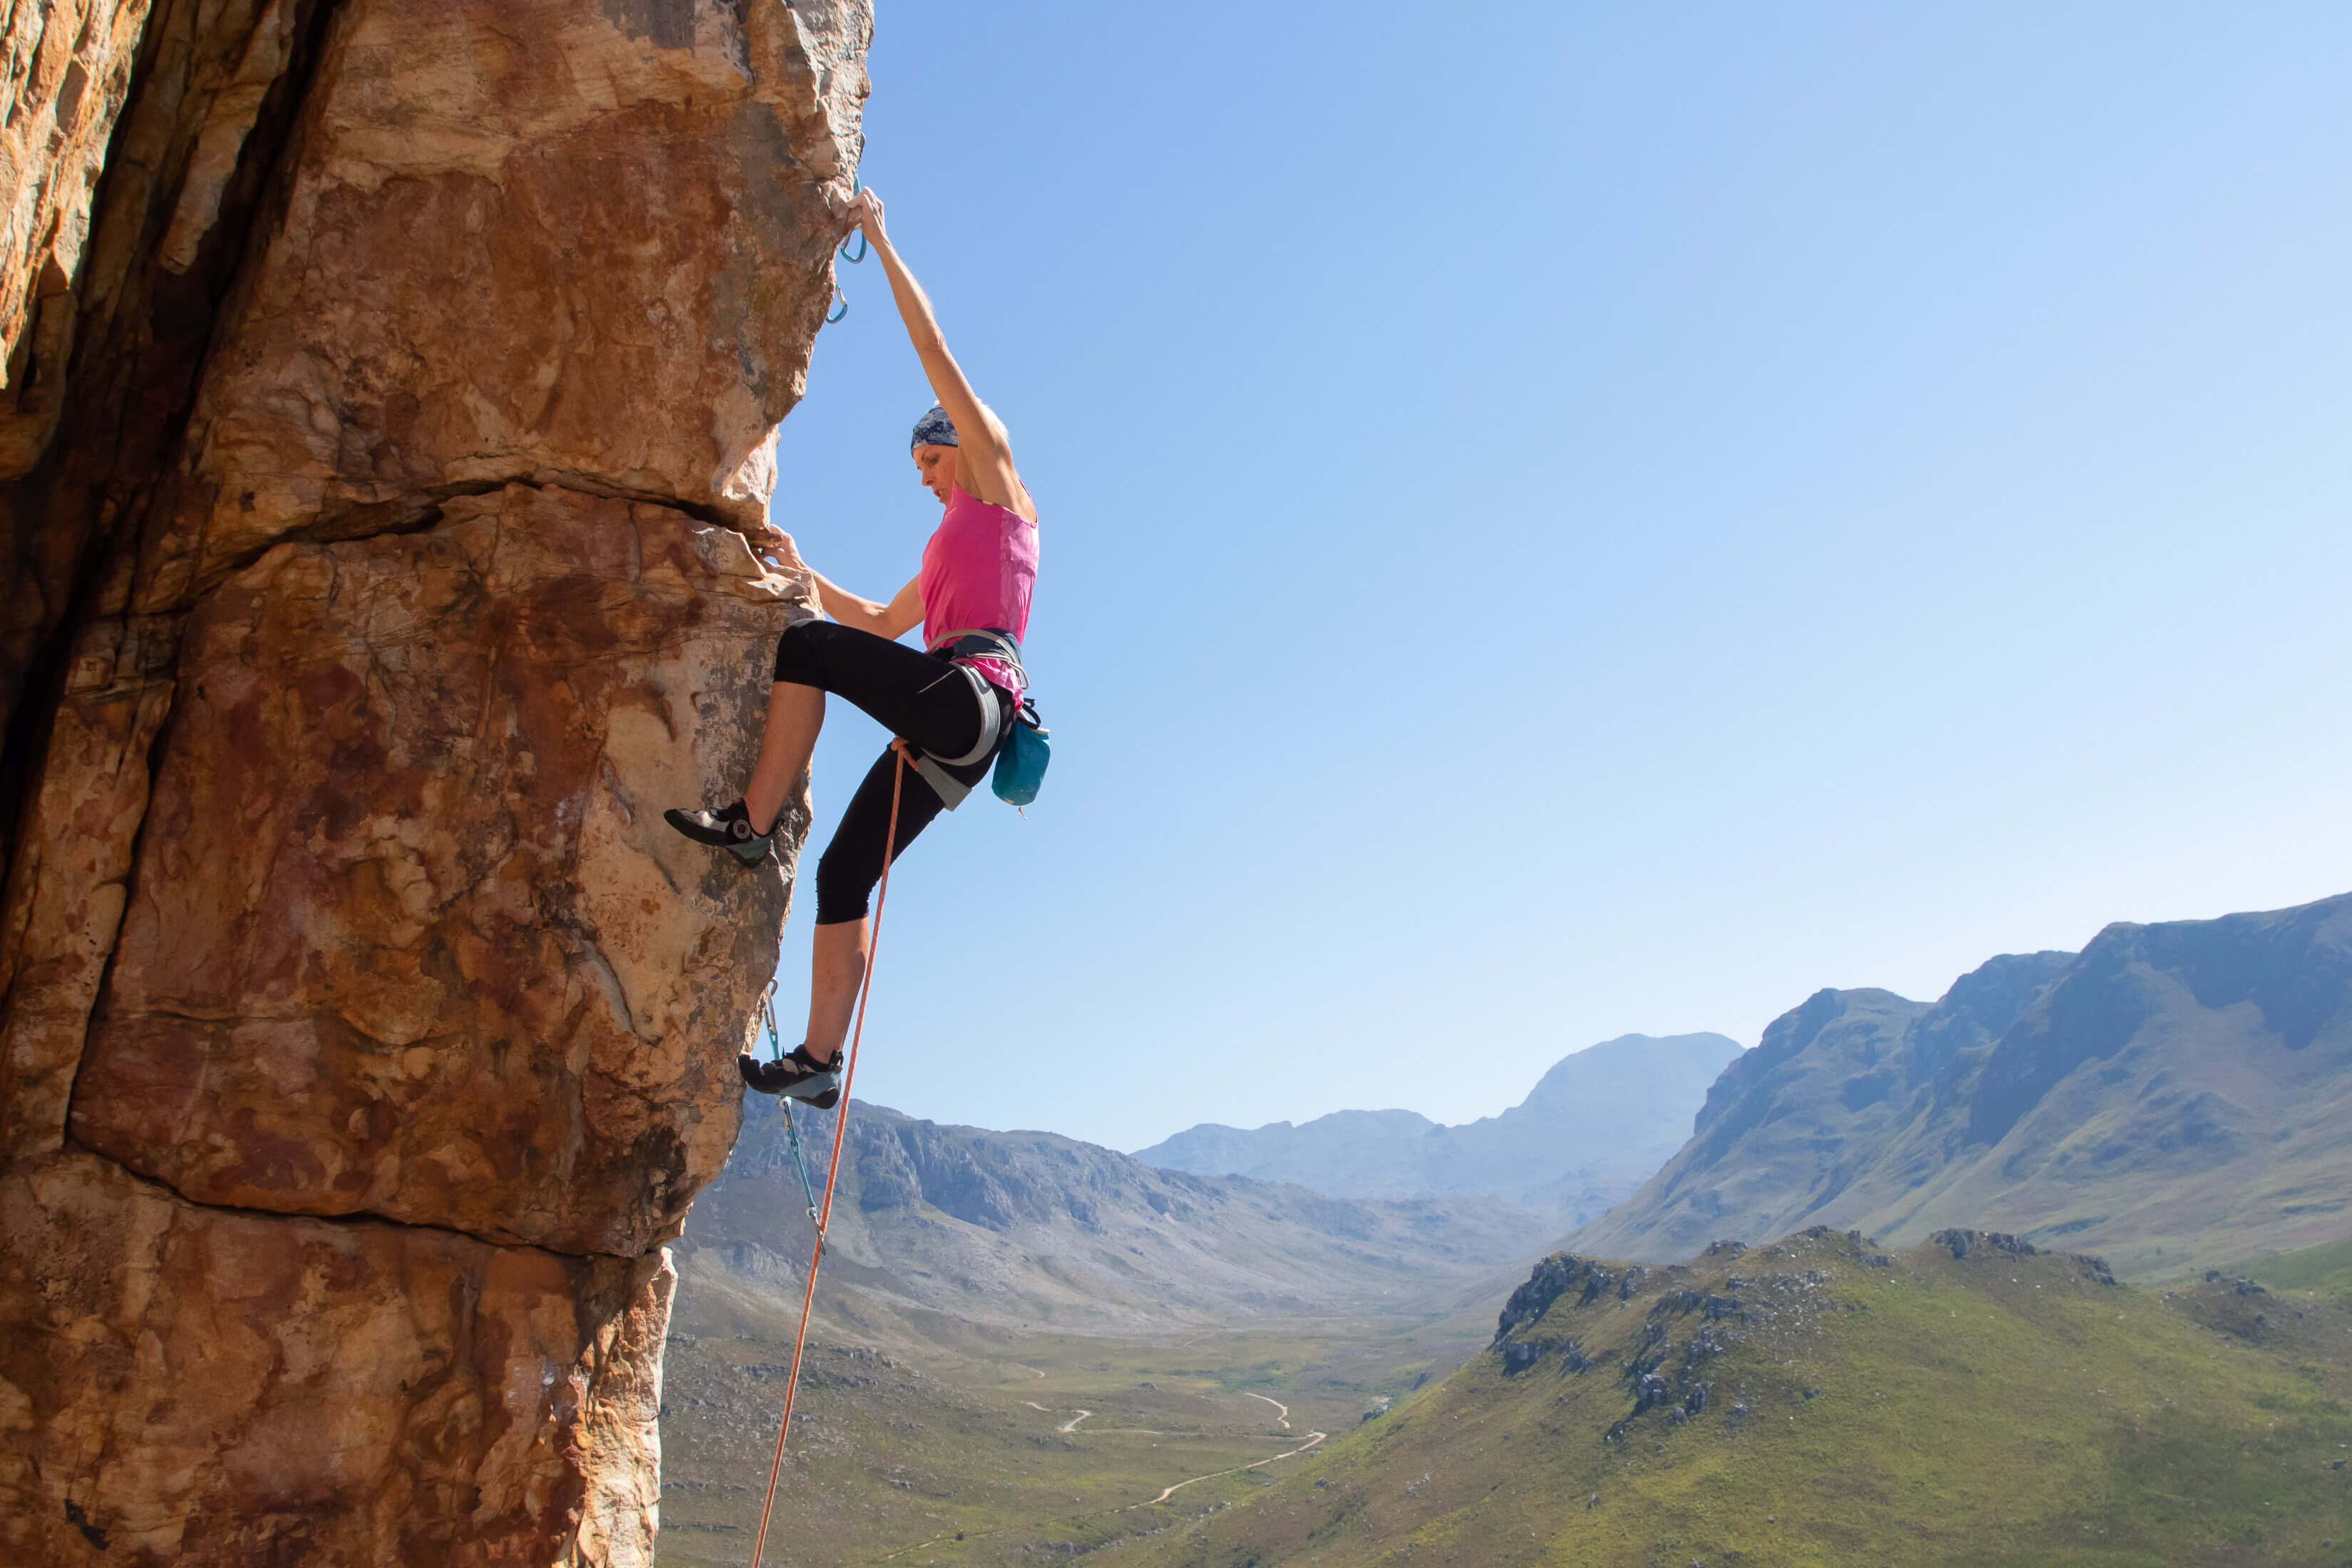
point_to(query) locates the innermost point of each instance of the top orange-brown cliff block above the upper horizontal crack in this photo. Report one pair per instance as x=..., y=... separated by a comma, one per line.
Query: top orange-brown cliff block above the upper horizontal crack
x=514, y=222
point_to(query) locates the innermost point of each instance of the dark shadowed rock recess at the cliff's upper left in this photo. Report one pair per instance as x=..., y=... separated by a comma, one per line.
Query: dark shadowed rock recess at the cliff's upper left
x=116, y=347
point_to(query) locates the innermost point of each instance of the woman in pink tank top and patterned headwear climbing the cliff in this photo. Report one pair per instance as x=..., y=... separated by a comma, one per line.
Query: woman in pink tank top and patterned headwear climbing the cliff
x=951, y=704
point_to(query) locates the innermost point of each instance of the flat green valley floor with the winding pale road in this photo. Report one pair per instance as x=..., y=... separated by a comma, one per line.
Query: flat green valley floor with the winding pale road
x=989, y=1447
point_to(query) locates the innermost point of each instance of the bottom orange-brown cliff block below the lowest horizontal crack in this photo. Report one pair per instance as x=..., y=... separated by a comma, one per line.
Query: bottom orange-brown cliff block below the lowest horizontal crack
x=201, y=1386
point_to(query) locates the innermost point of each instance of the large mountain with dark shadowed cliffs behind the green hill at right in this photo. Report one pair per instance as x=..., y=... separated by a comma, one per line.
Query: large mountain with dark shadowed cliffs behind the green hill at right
x=2170, y=1097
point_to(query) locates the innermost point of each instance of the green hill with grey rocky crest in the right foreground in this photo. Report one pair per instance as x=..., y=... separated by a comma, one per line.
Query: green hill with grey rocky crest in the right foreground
x=1819, y=1402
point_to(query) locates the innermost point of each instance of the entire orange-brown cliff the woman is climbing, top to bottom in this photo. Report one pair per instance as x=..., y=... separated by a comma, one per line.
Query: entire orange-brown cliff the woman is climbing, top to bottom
x=370, y=464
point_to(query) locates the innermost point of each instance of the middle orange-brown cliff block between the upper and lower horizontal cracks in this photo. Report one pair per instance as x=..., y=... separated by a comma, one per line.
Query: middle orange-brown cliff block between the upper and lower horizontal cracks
x=410, y=934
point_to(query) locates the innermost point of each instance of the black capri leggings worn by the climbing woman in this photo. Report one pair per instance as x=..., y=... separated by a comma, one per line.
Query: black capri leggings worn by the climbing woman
x=916, y=697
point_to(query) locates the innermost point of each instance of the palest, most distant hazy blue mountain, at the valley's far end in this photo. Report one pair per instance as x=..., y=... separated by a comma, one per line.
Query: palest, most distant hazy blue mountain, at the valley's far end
x=1591, y=1132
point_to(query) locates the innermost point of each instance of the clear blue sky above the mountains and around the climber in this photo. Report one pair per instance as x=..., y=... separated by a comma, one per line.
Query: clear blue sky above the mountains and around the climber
x=1568, y=521
